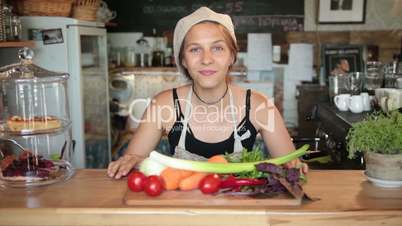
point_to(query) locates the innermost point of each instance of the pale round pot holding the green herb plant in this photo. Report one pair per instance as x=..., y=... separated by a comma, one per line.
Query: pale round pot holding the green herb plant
x=385, y=167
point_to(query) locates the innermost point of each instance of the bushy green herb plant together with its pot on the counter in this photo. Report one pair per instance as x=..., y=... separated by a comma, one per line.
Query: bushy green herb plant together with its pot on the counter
x=379, y=138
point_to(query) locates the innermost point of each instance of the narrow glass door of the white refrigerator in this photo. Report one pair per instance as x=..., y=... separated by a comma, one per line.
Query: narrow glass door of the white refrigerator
x=95, y=106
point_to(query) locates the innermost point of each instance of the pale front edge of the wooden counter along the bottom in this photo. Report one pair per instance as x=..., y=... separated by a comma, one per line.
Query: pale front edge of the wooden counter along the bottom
x=147, y=216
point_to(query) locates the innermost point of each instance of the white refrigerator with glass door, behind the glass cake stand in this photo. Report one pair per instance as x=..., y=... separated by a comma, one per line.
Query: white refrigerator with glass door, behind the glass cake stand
x=81, y=50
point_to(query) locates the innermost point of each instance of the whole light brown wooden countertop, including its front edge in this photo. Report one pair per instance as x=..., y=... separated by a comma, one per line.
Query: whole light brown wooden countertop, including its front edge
x=91, y=198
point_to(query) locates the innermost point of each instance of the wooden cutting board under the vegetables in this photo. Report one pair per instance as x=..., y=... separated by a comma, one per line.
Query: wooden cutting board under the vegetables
x=197, y=199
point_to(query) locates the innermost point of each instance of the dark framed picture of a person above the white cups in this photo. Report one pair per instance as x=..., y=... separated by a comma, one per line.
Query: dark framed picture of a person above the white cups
x=342, y=59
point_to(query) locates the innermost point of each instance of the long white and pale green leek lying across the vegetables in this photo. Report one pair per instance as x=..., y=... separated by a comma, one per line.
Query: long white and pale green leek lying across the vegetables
x=208, y=167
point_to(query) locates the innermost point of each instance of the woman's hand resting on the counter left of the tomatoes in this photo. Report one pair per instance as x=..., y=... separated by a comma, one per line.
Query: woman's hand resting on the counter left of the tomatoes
x=123, y=165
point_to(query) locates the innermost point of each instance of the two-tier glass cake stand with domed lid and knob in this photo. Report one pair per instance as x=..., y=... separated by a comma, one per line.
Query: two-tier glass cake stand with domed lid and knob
x=35, y=128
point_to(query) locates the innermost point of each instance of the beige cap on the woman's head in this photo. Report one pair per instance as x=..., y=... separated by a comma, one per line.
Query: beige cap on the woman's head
x=200, y=15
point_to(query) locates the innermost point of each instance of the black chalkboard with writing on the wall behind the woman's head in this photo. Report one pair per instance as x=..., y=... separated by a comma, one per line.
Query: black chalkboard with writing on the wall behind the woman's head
x=247, y=15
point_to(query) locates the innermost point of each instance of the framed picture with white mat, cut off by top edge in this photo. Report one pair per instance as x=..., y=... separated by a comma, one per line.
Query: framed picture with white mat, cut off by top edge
x=341, y=11
